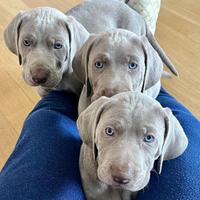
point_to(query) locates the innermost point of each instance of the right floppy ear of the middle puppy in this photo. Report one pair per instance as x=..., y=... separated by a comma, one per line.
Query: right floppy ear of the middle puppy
x=153, y=65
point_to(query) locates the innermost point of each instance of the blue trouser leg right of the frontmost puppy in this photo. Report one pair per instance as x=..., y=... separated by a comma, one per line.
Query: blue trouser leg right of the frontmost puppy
x=180, y=178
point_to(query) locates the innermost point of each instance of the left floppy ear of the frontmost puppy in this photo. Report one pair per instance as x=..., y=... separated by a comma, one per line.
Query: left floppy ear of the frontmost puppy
x=88, y=120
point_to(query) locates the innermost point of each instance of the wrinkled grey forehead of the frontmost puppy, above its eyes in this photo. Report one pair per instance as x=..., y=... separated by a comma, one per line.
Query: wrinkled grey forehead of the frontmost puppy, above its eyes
x=134, y=111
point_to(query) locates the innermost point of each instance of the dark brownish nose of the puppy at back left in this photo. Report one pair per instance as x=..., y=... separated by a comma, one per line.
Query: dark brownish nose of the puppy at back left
x=40, y=75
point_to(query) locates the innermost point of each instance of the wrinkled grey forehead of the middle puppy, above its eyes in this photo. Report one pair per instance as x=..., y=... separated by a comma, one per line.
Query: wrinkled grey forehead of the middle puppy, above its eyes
x=117, y=44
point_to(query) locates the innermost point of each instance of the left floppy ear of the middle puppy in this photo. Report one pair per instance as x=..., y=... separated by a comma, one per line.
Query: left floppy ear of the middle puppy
x=80, y=63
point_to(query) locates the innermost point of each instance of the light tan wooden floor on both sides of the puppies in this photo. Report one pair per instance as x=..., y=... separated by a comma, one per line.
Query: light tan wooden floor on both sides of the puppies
x=178, y=32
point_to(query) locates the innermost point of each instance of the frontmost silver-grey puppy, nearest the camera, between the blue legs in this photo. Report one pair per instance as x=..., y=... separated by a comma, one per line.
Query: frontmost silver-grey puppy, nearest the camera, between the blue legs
x=123, y=136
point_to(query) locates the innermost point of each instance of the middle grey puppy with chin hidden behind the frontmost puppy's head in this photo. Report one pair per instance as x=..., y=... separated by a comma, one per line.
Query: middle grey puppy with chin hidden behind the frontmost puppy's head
x=114, y=62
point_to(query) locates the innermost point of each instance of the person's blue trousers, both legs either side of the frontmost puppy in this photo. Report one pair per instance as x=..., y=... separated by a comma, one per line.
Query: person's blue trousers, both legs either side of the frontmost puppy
x=44, y=163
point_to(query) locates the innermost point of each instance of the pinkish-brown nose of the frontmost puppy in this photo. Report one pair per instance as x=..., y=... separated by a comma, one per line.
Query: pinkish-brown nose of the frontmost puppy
x=120, y=173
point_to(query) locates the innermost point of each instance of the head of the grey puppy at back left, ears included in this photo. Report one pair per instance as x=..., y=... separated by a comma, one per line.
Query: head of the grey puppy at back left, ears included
x=45, y=41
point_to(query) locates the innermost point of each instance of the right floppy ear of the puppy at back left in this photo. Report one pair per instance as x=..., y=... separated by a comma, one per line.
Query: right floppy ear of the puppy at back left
x=77, y=35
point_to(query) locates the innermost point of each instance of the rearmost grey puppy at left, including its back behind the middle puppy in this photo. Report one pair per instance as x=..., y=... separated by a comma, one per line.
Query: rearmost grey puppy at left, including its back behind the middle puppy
x=46, y=40
